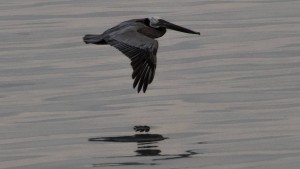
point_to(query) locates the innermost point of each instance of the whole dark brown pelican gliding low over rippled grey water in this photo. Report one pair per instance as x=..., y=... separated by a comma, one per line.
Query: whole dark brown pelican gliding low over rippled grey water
x=135, y=39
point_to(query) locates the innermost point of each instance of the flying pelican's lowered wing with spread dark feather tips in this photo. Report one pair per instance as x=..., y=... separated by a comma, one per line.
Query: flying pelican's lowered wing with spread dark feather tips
x=141, y=50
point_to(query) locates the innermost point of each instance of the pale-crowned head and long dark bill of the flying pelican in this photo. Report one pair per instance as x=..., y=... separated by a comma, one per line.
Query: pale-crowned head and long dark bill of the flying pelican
x=157, y=22
